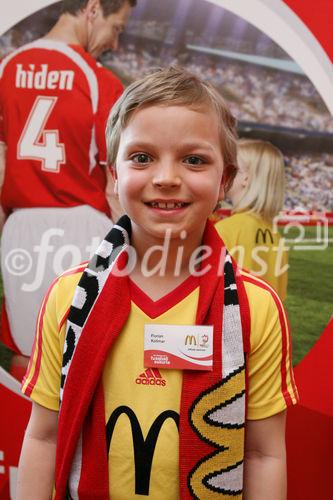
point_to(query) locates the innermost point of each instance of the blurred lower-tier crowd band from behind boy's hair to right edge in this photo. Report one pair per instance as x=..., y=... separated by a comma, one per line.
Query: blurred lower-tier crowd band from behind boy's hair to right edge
x=254, y=93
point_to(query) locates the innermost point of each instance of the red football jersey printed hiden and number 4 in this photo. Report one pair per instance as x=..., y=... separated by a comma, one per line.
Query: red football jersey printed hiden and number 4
x=54, y=103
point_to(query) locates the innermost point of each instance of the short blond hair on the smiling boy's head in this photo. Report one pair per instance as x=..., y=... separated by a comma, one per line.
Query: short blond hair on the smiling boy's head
x=169, y=87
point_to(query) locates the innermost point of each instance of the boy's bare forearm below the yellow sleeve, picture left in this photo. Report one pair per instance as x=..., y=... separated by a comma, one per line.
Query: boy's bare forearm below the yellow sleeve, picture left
x=37, y=461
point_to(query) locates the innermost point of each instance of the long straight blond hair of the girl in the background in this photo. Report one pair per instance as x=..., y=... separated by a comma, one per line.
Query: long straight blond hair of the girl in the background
x=266, y=178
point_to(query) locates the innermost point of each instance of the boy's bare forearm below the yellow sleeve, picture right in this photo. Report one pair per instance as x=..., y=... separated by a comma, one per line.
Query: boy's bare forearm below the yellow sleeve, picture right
x=265, y=459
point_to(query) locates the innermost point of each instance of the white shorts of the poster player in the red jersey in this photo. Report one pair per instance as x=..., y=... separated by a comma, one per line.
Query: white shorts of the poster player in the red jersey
x=38, y=244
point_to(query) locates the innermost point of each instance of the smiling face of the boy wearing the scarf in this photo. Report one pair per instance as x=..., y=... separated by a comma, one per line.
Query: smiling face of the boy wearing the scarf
x=169, y=170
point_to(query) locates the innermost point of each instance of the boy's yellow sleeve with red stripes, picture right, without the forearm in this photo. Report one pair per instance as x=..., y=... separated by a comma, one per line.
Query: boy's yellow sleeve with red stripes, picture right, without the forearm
x=271, y=384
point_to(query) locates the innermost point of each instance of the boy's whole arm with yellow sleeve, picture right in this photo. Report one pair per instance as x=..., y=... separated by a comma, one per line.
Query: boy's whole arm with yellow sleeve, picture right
x=271, y=389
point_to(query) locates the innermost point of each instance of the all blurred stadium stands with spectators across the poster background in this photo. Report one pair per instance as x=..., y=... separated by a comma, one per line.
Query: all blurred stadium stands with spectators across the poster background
x=257, y=94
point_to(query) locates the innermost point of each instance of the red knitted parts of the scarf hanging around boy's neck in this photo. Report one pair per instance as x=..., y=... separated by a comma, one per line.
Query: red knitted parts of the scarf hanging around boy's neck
x=82, y=410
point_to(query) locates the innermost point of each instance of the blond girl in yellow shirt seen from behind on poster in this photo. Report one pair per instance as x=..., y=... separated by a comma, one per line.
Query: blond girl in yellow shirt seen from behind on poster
x=257, y=196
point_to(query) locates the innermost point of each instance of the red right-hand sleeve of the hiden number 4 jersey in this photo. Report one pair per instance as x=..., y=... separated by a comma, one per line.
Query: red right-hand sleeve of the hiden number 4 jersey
x=110, y=89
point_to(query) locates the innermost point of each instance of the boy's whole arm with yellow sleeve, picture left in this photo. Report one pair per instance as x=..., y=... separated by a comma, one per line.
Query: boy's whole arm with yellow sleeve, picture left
x=42, y=384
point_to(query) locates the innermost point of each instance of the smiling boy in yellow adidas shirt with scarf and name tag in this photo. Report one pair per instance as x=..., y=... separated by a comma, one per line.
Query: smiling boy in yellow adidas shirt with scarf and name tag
x=173, y=143
